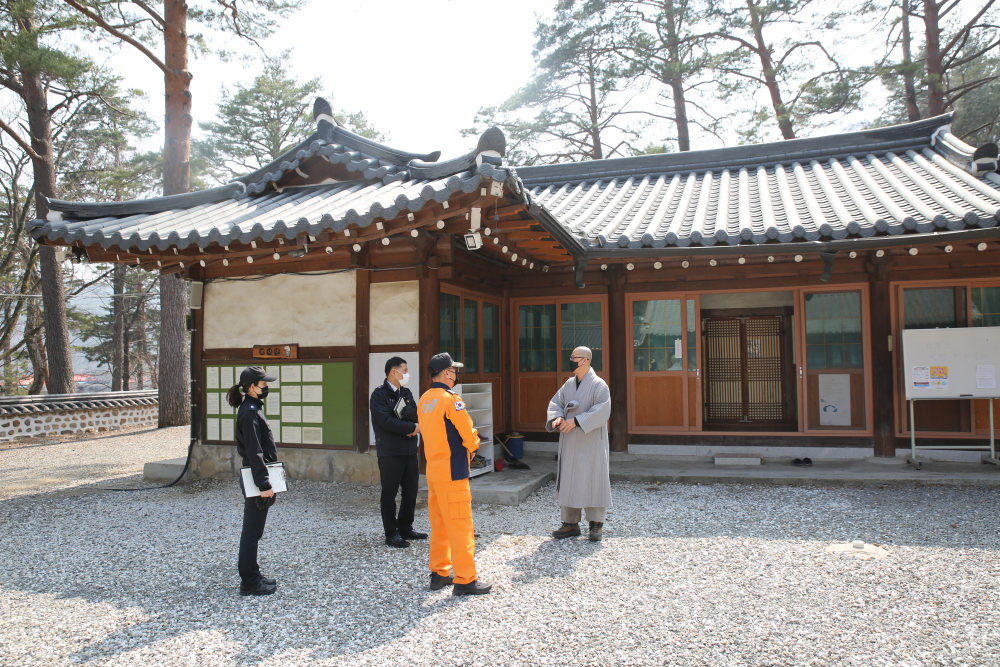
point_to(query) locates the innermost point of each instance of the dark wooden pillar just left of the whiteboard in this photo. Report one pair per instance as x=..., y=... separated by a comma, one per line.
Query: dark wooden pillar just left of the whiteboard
x=879, y=316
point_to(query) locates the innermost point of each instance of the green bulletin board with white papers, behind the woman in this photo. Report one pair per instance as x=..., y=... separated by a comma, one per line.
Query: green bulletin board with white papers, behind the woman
x=311, y=404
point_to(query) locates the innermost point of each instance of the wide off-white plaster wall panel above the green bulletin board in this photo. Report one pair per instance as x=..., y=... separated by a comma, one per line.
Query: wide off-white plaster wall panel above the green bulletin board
x=310, y=310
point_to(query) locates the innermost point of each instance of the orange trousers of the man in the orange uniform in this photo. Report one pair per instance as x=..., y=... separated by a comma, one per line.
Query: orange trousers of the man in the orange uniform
x=453, y=538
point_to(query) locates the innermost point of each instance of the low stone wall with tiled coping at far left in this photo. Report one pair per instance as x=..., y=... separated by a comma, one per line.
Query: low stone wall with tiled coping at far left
x=66, y=414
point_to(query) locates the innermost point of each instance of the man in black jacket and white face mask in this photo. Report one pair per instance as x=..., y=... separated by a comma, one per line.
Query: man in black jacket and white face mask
x=394, y=421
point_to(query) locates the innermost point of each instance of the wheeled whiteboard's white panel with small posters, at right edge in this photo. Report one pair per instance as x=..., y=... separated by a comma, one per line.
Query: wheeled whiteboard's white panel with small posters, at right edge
x=951, y=363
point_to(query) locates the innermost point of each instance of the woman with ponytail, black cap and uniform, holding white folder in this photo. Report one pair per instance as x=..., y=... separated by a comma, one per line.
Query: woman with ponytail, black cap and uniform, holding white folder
x=255, y=445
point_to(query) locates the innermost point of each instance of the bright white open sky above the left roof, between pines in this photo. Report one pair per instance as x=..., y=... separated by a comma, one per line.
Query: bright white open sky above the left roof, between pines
x=420, y=70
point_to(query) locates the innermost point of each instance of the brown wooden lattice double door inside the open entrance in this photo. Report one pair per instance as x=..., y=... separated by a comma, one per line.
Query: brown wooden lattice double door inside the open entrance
x=745, y=371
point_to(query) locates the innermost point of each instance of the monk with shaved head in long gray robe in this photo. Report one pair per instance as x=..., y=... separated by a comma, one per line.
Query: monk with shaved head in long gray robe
x=580, y=412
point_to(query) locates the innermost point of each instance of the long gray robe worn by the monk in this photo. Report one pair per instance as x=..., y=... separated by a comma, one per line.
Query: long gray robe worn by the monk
x=583, y=479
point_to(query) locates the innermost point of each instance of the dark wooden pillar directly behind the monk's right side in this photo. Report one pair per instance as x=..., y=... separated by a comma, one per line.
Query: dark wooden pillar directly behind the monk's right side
x=618, y=337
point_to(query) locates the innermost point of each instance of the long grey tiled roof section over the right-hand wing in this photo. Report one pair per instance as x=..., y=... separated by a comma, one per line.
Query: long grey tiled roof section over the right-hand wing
x=905, y=179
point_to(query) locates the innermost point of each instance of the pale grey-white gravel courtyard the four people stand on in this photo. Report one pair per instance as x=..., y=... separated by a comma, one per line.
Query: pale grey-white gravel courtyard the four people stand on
x=686, y=575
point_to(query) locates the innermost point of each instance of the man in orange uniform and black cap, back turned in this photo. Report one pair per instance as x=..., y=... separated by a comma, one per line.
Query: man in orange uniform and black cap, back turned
x=450, y=443
